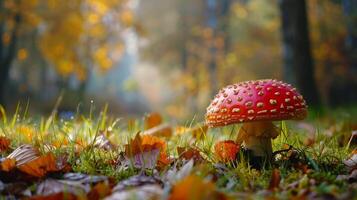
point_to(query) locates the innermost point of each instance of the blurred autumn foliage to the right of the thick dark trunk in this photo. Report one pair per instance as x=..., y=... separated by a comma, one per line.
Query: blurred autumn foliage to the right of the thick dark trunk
x=333, y=51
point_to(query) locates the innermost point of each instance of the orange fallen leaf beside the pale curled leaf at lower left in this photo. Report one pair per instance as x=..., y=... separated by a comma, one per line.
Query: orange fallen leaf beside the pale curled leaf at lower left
x=40, y=166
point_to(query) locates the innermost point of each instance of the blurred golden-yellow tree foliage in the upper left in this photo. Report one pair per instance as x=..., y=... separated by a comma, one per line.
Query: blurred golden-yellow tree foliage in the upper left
x=74, y=36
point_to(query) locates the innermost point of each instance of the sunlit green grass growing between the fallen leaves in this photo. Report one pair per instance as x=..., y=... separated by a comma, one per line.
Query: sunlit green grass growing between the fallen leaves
x=321, y=142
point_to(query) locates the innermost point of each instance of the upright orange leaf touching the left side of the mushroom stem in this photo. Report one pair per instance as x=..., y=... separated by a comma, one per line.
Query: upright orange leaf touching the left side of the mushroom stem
x=226, y=150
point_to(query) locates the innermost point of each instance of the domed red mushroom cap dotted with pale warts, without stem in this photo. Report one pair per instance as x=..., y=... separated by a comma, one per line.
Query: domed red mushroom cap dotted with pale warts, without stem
x=258, y=100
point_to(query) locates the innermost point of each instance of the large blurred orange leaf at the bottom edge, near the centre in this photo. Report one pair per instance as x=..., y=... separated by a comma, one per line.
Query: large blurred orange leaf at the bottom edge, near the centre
x=194, y=187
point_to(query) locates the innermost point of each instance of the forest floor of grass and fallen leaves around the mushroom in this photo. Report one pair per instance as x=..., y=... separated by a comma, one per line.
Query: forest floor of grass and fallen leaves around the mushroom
x=86, y=157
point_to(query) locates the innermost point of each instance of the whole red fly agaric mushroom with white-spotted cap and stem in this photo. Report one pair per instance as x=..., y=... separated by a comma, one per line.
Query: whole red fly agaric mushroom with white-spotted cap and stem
x=256, y=104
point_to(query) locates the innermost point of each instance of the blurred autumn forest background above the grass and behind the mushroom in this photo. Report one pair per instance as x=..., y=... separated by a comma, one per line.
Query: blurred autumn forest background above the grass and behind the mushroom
x=172, y=56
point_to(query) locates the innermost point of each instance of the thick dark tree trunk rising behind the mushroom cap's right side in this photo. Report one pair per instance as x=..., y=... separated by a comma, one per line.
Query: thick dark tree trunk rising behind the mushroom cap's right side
x=298, y=63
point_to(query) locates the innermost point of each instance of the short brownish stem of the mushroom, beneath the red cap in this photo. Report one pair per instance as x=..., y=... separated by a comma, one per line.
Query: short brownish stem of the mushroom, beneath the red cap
x=256, y=136
